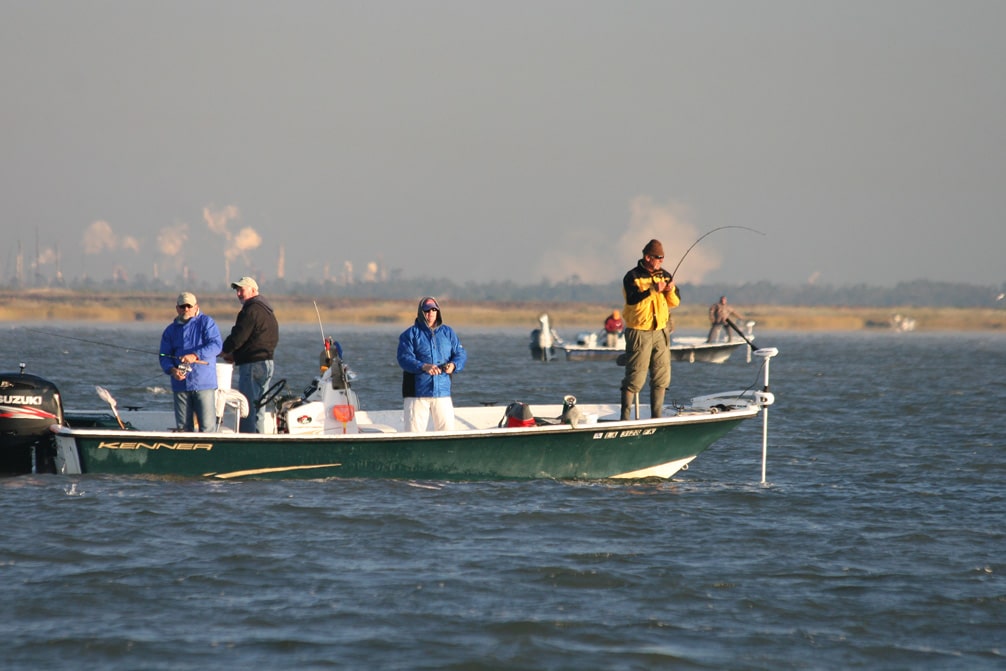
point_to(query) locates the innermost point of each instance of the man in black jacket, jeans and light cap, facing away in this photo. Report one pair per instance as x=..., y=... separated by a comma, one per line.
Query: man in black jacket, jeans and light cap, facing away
x=250, y=348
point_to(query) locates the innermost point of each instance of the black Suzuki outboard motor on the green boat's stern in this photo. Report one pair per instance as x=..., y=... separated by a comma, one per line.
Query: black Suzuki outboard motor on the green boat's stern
x=29, y=406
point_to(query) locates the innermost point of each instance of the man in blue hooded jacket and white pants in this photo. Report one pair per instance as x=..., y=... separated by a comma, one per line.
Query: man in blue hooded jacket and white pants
x=430, y=353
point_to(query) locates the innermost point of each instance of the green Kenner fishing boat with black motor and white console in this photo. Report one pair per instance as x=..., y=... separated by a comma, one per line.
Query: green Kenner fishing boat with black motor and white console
x=323, y=433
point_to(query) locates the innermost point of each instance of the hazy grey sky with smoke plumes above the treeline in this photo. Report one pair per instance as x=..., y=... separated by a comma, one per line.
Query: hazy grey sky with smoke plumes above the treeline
x=507, y=140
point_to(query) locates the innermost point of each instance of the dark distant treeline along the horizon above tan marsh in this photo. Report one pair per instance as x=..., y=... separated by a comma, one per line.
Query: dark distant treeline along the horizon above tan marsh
x=920, y=293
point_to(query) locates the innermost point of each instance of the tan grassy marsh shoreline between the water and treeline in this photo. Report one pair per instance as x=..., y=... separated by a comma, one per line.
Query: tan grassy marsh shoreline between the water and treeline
x=40, y=306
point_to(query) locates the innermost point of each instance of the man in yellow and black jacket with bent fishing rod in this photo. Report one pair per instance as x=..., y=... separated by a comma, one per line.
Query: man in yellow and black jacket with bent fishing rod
x=650, y=295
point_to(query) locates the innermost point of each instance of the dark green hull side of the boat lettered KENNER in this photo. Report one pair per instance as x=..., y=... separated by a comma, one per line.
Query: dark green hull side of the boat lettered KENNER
x=655, y=448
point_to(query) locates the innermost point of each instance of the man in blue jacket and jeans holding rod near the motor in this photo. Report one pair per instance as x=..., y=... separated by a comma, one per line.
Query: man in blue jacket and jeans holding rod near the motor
x=190, y=348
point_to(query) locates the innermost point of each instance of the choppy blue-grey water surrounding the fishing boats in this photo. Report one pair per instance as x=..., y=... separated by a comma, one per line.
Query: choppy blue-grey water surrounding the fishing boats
x=878, y=544
